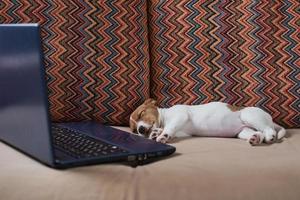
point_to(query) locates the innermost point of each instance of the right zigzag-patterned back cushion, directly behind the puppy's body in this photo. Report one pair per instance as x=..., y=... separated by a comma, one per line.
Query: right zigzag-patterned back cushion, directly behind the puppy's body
x=245, y=53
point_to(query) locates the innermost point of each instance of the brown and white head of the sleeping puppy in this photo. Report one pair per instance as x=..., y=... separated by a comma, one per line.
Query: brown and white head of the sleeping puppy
x=145, y=118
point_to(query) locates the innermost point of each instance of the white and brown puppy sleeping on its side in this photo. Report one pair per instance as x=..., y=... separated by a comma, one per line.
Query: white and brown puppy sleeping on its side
x=213, y=119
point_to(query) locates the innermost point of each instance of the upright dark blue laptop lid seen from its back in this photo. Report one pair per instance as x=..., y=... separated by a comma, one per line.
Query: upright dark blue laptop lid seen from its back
x=24, y=121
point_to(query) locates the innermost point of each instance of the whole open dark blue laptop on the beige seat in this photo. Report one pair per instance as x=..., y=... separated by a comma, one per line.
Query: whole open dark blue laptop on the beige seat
x=24, y=116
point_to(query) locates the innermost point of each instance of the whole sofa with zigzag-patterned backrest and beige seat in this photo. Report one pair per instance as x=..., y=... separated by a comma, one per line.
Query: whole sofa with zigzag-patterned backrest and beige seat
x=104, y=58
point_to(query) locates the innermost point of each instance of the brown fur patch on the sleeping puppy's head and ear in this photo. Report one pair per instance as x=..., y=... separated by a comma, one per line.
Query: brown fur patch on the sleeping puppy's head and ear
x=146, y=112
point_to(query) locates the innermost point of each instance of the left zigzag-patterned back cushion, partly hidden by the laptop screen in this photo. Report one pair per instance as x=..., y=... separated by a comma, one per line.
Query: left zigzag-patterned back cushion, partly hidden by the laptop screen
x=96, y=55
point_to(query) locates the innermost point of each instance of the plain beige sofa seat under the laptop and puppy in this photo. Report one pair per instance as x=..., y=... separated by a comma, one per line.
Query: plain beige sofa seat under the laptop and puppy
x=202, y=168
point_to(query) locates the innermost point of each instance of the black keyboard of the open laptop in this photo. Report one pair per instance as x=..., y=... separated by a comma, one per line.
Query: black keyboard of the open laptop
x=80, y=145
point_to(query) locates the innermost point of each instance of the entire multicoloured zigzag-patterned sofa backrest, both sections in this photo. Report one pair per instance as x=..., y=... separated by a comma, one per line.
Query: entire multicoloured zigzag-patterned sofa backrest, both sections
x=97, y=58
